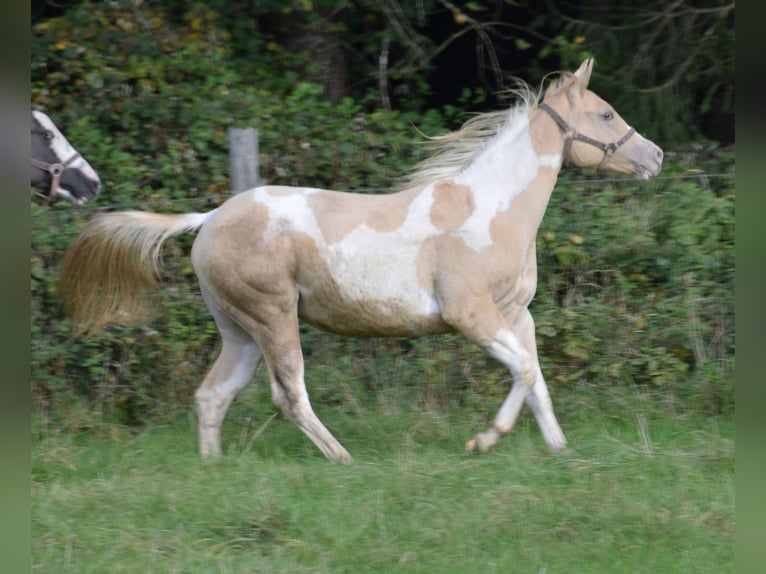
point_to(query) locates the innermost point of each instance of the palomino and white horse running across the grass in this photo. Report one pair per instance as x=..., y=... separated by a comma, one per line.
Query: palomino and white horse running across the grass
x=452, y=251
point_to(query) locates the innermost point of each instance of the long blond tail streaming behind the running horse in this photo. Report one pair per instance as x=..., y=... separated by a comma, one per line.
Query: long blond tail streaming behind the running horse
x=115, y=263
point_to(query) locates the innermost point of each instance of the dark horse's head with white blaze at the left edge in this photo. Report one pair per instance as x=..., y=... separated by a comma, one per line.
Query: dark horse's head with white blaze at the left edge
x=57, y=168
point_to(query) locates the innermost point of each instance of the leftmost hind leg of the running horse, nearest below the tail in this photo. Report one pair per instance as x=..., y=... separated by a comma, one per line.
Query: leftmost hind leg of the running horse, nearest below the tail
x=232, y=370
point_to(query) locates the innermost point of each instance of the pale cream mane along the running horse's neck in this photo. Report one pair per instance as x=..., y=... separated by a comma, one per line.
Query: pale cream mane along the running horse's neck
x=455, y=151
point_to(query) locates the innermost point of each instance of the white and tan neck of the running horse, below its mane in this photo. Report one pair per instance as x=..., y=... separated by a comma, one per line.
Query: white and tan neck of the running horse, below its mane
x=511, y=167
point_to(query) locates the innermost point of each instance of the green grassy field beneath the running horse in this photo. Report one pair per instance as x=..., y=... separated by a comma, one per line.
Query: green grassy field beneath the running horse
x=642, y=489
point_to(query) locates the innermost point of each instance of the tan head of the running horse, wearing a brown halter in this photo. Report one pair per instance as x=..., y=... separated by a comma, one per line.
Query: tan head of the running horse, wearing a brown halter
x=595, y=134
